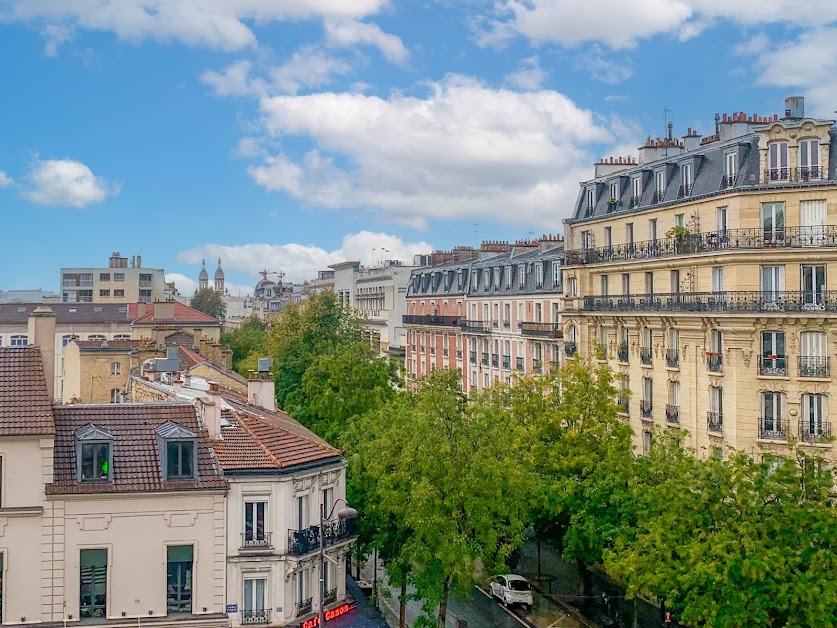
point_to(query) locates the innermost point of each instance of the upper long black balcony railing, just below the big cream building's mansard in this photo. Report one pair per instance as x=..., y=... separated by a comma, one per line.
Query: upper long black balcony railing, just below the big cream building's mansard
x=708, y=242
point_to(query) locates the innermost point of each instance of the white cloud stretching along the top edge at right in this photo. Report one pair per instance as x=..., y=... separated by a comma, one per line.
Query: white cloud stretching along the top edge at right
x=621, y=24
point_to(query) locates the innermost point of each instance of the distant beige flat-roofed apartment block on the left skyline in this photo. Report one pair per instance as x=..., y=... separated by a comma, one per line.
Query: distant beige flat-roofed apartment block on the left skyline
x=118, y=283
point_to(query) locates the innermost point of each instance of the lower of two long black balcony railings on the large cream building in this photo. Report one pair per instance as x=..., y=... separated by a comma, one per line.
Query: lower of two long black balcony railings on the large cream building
x=739, y=301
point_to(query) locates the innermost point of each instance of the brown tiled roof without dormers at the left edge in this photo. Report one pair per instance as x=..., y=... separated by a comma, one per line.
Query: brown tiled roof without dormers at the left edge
x=25, y=406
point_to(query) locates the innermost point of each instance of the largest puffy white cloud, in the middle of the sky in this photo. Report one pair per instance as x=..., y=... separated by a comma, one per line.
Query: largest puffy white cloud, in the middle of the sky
x=464, y=150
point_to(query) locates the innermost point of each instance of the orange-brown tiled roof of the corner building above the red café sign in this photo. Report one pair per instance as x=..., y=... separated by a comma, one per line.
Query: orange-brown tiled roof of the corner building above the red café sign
x=257, y=439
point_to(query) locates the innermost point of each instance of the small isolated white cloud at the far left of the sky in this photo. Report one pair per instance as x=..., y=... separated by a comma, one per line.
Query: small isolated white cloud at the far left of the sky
x=66, y=183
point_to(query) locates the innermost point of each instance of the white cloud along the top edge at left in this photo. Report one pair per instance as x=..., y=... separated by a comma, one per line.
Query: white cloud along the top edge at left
x=217, y=24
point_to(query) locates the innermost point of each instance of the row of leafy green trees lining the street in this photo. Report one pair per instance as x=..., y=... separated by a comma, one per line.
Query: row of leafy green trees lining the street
x=447, y=484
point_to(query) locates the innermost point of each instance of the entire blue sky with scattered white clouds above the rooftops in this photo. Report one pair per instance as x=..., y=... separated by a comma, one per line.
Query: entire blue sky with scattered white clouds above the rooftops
x=290, y=134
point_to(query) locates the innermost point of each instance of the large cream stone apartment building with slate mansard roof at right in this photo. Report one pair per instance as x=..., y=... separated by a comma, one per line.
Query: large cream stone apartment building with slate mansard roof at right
x=700, y=272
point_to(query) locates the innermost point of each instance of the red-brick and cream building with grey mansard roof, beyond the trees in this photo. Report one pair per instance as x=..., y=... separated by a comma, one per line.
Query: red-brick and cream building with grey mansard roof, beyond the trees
x=489, y=316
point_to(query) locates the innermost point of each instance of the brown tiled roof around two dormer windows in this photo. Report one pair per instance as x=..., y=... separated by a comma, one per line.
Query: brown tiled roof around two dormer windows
x=136, y=461
